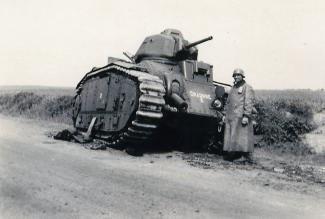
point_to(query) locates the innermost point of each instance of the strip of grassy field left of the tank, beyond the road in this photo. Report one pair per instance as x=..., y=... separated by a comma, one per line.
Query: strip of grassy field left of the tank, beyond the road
x=36, y=102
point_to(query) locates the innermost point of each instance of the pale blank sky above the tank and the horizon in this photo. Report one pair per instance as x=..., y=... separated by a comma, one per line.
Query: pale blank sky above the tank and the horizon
x=279, y=44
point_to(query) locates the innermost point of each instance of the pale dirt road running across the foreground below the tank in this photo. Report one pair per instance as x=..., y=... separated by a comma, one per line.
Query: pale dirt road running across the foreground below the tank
x=44, y=178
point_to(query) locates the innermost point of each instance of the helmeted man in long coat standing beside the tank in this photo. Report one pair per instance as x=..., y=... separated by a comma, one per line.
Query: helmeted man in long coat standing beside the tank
x=238, y=139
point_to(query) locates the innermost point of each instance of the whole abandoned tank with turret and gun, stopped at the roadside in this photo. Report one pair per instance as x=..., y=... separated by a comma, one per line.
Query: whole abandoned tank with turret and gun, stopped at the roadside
x=161, y=96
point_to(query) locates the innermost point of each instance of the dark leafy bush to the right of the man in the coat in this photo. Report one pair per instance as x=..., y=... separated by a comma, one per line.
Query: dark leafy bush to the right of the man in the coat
x=283, y=120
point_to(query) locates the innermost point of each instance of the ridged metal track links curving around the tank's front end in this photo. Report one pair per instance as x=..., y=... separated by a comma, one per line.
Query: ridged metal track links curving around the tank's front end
x=149, y=112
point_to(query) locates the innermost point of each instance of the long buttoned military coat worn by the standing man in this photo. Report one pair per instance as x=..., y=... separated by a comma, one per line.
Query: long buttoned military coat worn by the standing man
x=240, y=102
